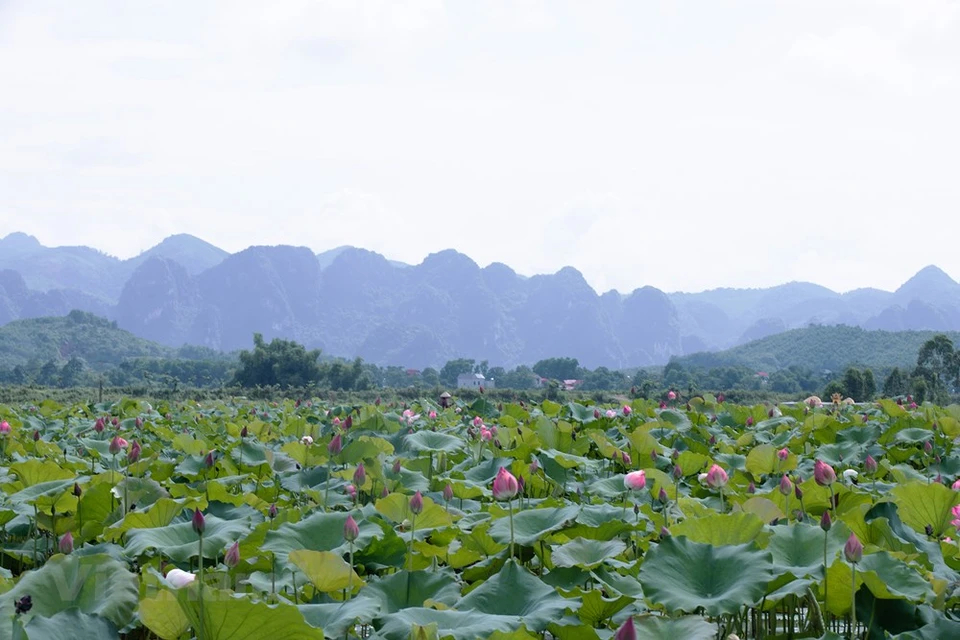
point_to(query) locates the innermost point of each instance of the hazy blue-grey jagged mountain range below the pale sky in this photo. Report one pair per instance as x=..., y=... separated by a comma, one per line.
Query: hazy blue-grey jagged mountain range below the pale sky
x=353, y=302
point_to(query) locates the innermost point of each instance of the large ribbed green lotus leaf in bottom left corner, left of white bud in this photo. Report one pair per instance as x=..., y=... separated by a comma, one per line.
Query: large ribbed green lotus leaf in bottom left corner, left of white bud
x=96, y=585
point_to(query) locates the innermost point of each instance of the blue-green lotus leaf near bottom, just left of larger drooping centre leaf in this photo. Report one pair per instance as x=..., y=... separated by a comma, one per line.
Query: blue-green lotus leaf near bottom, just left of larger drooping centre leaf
x=406, y=589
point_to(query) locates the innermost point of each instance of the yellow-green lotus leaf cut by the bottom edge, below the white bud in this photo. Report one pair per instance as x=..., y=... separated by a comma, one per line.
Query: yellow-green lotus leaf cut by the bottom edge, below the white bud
x=227, y=616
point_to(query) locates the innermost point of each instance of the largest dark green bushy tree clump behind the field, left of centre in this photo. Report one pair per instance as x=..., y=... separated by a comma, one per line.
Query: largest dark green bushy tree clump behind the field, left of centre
x=281, y=362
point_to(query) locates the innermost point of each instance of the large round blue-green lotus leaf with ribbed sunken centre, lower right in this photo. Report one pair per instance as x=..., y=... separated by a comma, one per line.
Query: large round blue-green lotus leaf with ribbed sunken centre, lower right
x=683, y=575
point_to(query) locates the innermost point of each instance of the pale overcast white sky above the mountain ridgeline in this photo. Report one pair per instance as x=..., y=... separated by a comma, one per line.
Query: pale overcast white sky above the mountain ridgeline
x=683, y=145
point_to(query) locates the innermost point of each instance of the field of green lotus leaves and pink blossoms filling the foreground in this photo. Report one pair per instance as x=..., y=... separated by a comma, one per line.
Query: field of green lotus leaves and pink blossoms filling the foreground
x=243, y=520
